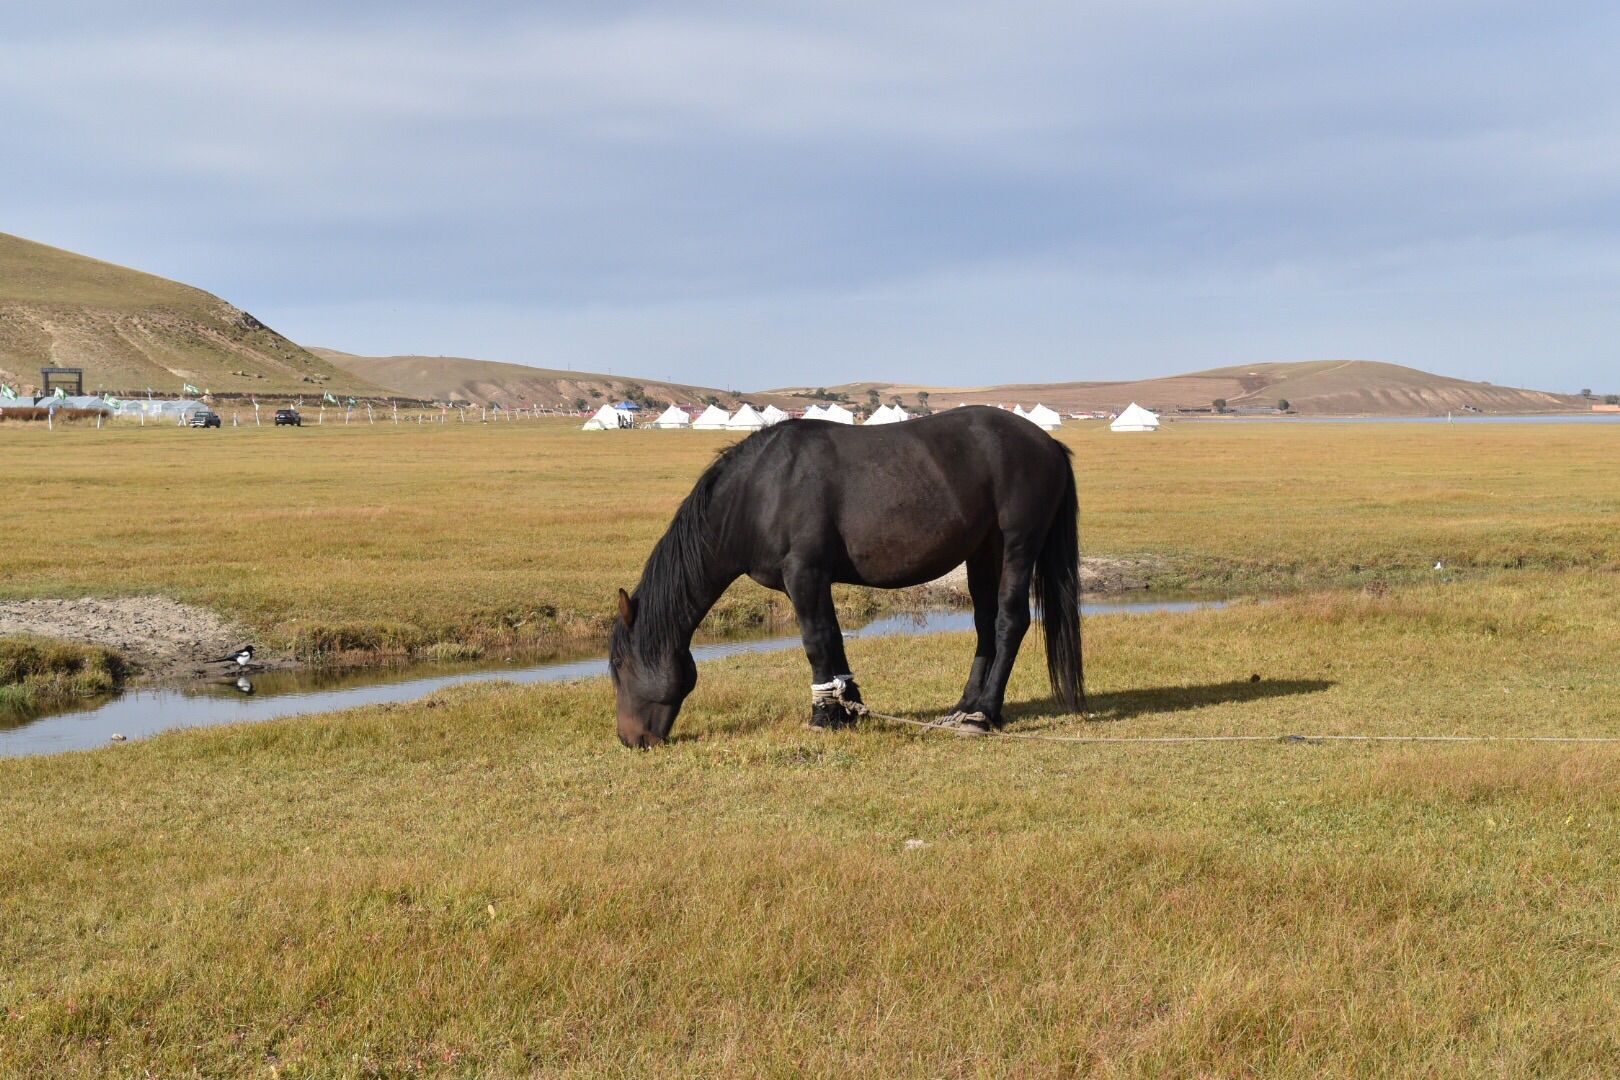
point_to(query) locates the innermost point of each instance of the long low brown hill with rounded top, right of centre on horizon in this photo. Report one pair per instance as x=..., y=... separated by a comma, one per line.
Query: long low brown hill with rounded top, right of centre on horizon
x=1326, y=388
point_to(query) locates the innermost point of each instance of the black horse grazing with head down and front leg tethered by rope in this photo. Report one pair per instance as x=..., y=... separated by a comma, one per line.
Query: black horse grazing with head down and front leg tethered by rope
x=808, y=503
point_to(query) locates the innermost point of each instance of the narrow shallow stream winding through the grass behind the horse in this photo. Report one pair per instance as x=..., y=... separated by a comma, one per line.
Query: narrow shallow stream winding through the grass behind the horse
x=276, y=695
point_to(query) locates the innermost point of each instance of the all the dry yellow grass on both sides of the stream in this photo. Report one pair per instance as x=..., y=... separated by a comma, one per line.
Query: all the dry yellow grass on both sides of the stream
x=485, y=885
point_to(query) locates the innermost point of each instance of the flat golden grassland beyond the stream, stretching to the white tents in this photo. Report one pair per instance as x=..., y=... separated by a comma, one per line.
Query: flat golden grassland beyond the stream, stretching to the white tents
x=382, y=537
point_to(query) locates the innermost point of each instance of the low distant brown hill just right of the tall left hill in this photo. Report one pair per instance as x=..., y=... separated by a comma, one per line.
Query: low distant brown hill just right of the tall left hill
x=485, y=381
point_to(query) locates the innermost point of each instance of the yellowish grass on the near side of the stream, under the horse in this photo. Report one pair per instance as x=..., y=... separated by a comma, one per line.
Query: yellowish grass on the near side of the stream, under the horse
x=485, y=885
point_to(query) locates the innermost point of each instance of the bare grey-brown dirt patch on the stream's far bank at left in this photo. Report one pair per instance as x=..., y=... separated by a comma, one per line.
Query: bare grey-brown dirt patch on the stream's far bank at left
x=161, y=637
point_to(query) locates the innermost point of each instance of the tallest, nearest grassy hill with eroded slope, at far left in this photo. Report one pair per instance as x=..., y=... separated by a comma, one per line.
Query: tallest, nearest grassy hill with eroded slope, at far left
x=134, y=331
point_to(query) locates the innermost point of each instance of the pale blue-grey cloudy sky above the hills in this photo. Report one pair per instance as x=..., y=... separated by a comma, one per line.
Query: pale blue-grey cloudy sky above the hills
x=759, y=195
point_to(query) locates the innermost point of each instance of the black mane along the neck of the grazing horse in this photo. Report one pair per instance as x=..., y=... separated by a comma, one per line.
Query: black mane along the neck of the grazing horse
x=671, y=593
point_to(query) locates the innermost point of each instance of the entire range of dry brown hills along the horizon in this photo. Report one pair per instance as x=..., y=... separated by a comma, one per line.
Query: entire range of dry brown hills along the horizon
x=134, y=331
